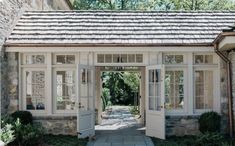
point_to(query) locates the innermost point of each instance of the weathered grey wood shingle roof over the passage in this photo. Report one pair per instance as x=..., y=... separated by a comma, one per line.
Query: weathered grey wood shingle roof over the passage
x=120, y=27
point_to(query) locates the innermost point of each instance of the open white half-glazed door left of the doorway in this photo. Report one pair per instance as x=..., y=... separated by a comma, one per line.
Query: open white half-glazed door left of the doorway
x=86, y=98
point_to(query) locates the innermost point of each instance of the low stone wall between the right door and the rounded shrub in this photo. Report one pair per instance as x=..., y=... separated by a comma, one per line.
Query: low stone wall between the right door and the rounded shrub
x=181, y=125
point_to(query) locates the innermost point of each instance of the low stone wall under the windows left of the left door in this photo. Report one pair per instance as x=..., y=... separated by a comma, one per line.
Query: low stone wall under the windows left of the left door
x=58, y=124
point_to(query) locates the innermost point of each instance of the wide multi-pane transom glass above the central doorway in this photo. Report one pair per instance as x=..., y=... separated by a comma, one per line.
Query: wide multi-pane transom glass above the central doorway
x=120, y=58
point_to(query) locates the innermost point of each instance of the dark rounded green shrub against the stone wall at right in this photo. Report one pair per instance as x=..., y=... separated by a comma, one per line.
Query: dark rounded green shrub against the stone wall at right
x=209, y=122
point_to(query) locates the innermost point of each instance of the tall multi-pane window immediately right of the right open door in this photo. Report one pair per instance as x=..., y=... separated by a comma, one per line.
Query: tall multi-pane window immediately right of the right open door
x=174, y=89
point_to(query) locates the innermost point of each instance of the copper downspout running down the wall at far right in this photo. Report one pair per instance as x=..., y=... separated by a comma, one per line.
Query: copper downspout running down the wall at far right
x=229, y=87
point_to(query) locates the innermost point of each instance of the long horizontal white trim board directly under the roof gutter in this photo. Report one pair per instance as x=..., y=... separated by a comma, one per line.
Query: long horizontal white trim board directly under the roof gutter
x=111, y=49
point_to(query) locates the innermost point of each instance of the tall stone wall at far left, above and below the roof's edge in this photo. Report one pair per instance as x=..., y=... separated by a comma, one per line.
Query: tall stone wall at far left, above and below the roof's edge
x=10, y=12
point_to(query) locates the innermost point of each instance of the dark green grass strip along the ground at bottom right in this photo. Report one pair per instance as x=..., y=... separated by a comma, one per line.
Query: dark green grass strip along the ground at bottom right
x=189, y=141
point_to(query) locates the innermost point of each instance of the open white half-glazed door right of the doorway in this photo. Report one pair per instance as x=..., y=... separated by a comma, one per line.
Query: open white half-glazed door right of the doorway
x=155, y=112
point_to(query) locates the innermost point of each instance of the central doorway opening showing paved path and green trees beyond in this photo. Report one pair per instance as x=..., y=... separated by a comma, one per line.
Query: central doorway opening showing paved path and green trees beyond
x=120, y=93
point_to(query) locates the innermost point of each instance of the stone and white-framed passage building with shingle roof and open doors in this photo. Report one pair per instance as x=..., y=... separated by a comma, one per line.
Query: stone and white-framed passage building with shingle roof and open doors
x=66, y=51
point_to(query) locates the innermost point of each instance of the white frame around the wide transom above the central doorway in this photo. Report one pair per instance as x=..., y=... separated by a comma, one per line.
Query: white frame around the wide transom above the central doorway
x=144, y=63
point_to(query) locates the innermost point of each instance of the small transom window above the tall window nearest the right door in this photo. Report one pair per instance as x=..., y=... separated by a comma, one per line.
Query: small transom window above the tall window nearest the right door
x=173, y=59
